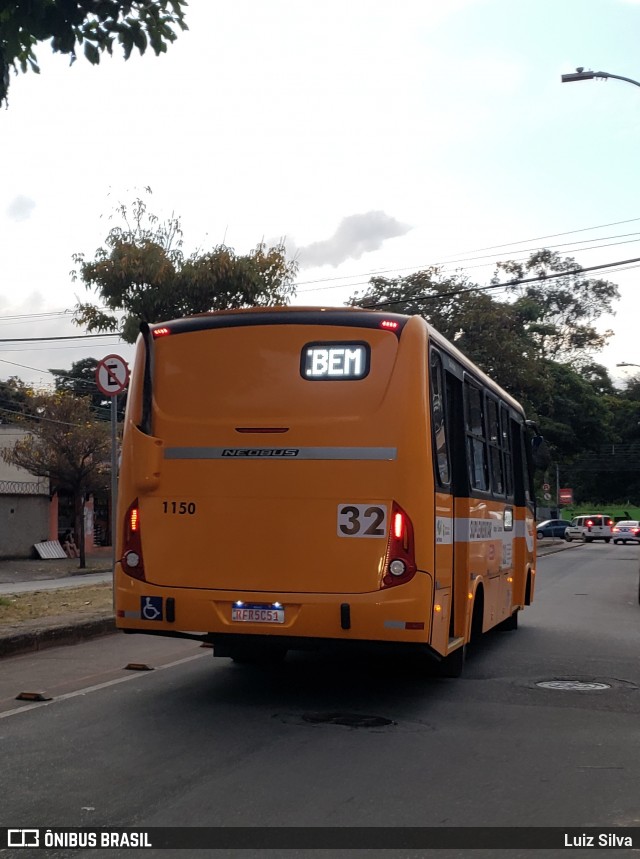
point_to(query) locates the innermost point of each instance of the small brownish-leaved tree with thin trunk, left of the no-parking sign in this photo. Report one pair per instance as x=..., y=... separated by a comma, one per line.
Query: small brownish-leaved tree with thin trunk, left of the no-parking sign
x=69, y=447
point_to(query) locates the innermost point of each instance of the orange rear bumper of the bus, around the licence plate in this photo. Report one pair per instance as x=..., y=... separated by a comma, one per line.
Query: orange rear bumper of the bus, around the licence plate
x=399, y=614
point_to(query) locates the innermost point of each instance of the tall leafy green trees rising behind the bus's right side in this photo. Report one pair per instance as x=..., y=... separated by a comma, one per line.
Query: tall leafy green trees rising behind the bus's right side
x=537, y=342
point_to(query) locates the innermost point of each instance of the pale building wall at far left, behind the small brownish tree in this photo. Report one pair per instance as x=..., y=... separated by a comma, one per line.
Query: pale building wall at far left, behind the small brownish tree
x=24, y=503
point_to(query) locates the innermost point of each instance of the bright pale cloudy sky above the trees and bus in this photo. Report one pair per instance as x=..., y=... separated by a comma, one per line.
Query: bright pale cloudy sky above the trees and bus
x=374, y=138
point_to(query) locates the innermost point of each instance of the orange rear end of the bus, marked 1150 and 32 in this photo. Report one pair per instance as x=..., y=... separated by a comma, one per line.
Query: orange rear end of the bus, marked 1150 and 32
x=268, y=489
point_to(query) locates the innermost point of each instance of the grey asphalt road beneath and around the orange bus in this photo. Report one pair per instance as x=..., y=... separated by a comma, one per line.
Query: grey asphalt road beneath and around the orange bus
x=204, y=742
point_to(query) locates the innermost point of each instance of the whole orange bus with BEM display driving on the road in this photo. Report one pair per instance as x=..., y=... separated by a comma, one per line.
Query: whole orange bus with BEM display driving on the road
x=297, y=477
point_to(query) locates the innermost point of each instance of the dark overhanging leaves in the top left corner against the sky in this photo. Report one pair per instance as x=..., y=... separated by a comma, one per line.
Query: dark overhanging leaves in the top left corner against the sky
x=93, y=24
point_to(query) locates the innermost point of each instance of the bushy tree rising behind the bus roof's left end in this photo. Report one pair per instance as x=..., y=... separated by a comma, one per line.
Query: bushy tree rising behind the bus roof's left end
x=142, y=275
